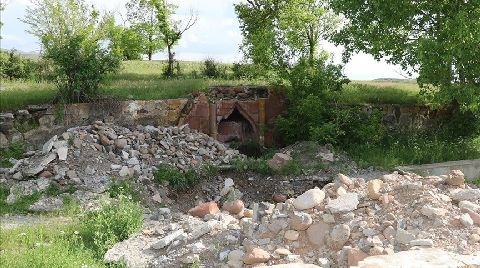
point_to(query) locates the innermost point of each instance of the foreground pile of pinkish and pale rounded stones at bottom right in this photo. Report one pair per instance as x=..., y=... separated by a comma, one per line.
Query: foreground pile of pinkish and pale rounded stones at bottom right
x=397, y=220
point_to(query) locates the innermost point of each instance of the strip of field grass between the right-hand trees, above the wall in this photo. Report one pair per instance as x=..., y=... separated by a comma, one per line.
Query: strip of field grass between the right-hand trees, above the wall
x=379, y=92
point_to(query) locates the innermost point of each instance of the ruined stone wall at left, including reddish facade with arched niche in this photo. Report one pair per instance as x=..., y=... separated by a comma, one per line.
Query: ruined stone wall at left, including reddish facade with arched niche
x=225, y=113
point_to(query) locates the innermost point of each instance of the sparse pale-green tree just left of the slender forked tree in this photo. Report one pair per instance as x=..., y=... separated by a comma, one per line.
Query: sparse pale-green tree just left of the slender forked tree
x=142, y=14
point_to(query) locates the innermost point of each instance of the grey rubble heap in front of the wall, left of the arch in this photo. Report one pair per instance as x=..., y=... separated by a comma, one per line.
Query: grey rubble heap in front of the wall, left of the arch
x=89, y=156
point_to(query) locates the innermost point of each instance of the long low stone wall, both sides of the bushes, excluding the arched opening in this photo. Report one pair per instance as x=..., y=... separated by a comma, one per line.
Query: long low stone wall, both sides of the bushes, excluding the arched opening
x=36, y=124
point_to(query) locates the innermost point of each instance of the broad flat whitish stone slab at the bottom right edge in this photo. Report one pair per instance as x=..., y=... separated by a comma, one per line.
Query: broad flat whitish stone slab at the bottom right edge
x=425, y=258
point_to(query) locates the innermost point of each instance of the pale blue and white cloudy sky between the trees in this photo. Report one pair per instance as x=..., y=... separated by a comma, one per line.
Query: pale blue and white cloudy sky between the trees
x=216, y=34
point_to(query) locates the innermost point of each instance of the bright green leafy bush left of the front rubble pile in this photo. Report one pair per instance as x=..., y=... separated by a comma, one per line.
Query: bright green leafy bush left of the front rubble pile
x=112, y=223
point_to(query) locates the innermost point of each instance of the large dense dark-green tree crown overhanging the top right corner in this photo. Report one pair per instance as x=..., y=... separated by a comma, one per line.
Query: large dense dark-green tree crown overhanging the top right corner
x=440, y=40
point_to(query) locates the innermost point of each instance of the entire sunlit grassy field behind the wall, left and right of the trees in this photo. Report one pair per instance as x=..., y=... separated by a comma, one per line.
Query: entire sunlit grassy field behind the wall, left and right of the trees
x=142, y=80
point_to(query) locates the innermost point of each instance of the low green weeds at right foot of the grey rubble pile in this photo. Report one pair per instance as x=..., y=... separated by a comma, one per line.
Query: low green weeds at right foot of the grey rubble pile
x=177, y=179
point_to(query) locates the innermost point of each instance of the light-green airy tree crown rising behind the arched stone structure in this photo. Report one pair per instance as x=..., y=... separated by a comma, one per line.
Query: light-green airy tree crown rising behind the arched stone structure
x=279, y=32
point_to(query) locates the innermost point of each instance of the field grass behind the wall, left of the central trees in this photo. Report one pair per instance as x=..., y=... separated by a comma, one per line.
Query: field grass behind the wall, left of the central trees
x=139, y=80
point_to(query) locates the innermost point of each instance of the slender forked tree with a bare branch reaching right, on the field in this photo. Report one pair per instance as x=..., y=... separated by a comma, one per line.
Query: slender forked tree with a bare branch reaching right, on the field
x=172, y=30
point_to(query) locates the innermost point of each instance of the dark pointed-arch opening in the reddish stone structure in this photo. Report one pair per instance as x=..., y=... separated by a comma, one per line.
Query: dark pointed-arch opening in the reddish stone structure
x=235, y=128
